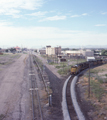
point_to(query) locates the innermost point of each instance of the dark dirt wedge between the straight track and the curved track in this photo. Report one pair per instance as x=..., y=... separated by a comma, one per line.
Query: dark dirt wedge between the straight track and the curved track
x=56, y=84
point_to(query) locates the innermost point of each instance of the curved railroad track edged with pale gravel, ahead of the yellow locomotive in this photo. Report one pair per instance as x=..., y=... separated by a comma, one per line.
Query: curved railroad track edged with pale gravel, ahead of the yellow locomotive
x=70, y=106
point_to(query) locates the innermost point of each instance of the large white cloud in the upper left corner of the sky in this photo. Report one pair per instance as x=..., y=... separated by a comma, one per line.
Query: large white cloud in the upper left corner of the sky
x=14, y=7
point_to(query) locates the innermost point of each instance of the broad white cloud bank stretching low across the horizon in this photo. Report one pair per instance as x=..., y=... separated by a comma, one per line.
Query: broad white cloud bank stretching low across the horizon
x=37, y=36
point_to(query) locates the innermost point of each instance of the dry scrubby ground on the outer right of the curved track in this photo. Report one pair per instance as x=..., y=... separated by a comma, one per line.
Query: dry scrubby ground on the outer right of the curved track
x=95, y=105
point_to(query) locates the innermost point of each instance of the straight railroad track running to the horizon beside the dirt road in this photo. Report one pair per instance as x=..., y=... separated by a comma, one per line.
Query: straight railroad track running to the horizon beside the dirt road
x=36, y=104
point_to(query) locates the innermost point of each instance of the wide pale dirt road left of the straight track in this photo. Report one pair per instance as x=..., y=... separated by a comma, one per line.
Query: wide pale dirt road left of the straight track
x=14, y=91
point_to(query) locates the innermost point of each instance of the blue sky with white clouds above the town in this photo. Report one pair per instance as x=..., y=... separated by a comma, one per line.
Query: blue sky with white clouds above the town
x=38, y=23
